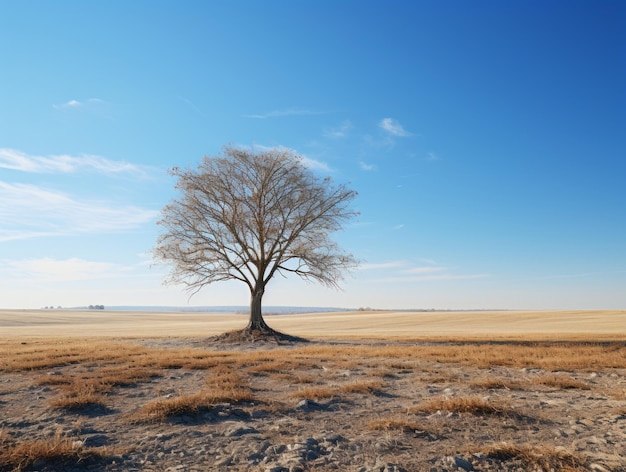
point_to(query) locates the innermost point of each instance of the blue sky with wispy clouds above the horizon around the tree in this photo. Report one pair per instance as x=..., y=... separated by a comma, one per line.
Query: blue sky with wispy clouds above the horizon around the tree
x=486, y=140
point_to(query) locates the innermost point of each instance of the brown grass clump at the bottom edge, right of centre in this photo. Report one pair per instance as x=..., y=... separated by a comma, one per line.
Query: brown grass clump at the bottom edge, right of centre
x=537, y=457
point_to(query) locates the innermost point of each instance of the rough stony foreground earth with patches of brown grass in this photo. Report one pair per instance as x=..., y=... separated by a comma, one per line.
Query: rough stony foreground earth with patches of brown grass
x=318, y=406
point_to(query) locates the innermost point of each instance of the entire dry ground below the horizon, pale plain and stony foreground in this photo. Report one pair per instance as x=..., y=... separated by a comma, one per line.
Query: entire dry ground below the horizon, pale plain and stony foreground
x=374, y=391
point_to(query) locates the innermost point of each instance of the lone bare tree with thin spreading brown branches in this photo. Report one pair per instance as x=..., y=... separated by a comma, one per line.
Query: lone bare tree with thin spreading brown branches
x=248, y=216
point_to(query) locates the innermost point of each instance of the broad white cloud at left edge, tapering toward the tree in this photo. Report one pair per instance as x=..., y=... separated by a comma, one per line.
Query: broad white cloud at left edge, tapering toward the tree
x=29, y=211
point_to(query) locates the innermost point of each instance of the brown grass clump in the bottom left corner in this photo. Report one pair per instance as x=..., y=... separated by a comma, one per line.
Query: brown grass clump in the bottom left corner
x=58, y=450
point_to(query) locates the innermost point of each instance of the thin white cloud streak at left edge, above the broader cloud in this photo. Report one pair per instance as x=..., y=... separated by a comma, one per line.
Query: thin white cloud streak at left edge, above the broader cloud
x=65, y=164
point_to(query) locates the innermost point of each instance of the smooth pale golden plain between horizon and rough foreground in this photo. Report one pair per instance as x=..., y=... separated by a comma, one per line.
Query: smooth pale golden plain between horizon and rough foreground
x=526, y=325
